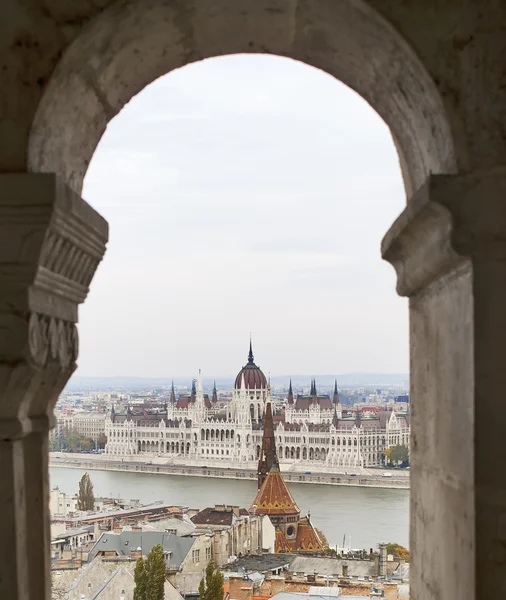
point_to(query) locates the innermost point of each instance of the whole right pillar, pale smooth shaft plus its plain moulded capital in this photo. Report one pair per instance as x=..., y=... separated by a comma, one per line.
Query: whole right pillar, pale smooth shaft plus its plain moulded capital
x=449, y=250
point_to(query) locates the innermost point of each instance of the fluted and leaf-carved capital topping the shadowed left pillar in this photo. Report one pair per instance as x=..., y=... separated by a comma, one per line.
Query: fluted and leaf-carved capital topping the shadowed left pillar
x=51, y=242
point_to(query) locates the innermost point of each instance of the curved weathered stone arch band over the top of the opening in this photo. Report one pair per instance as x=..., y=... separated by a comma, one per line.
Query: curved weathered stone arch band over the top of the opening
x=129, y=45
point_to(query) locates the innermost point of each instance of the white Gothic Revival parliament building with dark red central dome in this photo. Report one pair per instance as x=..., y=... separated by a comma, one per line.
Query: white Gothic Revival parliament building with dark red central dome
x=196, y=429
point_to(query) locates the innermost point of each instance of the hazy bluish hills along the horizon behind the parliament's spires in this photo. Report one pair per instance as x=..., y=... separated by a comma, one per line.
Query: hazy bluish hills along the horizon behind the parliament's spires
x=81, y=383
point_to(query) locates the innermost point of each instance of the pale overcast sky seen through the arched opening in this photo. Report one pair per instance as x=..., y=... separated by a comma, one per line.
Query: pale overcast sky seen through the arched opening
x=244, y=194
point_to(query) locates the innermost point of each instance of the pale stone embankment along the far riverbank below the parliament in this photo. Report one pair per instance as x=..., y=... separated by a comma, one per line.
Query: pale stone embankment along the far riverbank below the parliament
x=100, y=463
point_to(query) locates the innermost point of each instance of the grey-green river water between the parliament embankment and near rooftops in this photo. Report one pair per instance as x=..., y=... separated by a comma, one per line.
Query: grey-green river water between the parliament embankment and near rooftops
x=366, y=515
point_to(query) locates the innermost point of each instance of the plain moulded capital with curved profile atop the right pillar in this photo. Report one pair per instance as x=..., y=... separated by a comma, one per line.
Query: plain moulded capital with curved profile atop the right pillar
x=451, y=220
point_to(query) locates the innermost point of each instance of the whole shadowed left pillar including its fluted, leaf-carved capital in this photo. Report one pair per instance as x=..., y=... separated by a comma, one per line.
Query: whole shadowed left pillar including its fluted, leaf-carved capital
x=51, y=243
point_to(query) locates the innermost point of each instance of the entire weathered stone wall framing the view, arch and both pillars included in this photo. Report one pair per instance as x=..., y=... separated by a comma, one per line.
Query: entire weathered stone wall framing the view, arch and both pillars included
x=436, y=73
